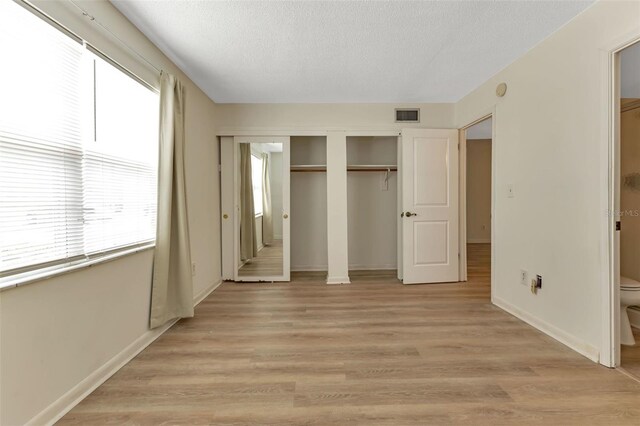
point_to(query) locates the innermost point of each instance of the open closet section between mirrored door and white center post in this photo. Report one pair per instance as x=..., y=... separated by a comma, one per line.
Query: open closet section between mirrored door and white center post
x=308, y=203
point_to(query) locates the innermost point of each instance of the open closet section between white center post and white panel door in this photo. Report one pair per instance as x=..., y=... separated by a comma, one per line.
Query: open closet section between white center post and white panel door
x=372, y=207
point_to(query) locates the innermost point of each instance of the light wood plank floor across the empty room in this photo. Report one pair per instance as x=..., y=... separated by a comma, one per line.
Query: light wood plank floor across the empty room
x=369, y=353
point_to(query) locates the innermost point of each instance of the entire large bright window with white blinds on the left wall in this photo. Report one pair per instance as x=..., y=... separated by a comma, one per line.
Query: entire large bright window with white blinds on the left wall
x=78, y=149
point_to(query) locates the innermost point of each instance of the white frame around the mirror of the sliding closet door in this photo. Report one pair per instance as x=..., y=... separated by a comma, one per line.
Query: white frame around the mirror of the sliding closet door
x=286, y=234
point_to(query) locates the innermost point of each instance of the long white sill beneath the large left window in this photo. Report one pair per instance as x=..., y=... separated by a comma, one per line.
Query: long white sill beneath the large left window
x=25, y=278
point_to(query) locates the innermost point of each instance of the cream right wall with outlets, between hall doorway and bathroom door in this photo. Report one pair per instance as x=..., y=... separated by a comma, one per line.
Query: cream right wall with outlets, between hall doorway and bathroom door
x=550, y=144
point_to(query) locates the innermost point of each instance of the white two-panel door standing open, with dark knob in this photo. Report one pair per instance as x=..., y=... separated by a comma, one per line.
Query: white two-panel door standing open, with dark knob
x=430, y=206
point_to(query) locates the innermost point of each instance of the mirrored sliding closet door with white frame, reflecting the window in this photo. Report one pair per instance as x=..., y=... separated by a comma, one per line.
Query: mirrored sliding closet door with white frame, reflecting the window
x=273, y=260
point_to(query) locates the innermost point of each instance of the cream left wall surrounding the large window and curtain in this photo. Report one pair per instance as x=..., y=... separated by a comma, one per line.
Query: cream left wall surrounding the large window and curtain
x=57, y=332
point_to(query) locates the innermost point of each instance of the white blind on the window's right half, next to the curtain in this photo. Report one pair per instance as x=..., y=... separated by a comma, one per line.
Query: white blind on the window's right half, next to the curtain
x=120, y=165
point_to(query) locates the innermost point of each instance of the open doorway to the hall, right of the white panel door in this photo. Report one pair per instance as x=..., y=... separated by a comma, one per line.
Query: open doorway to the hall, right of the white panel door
x=476, y=201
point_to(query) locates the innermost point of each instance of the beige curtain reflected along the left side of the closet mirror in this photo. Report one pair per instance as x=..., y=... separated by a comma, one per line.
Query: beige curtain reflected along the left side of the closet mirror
x=248, y=237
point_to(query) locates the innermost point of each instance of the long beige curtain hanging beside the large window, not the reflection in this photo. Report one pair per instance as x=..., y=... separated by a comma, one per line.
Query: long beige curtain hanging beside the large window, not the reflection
x=172, y=288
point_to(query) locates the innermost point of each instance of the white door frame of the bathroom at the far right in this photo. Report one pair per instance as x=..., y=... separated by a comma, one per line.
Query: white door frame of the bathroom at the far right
x=610, y=349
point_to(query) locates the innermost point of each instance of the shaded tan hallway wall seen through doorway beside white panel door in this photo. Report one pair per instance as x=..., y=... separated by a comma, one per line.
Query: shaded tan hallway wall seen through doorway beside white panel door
x=478, y=190
